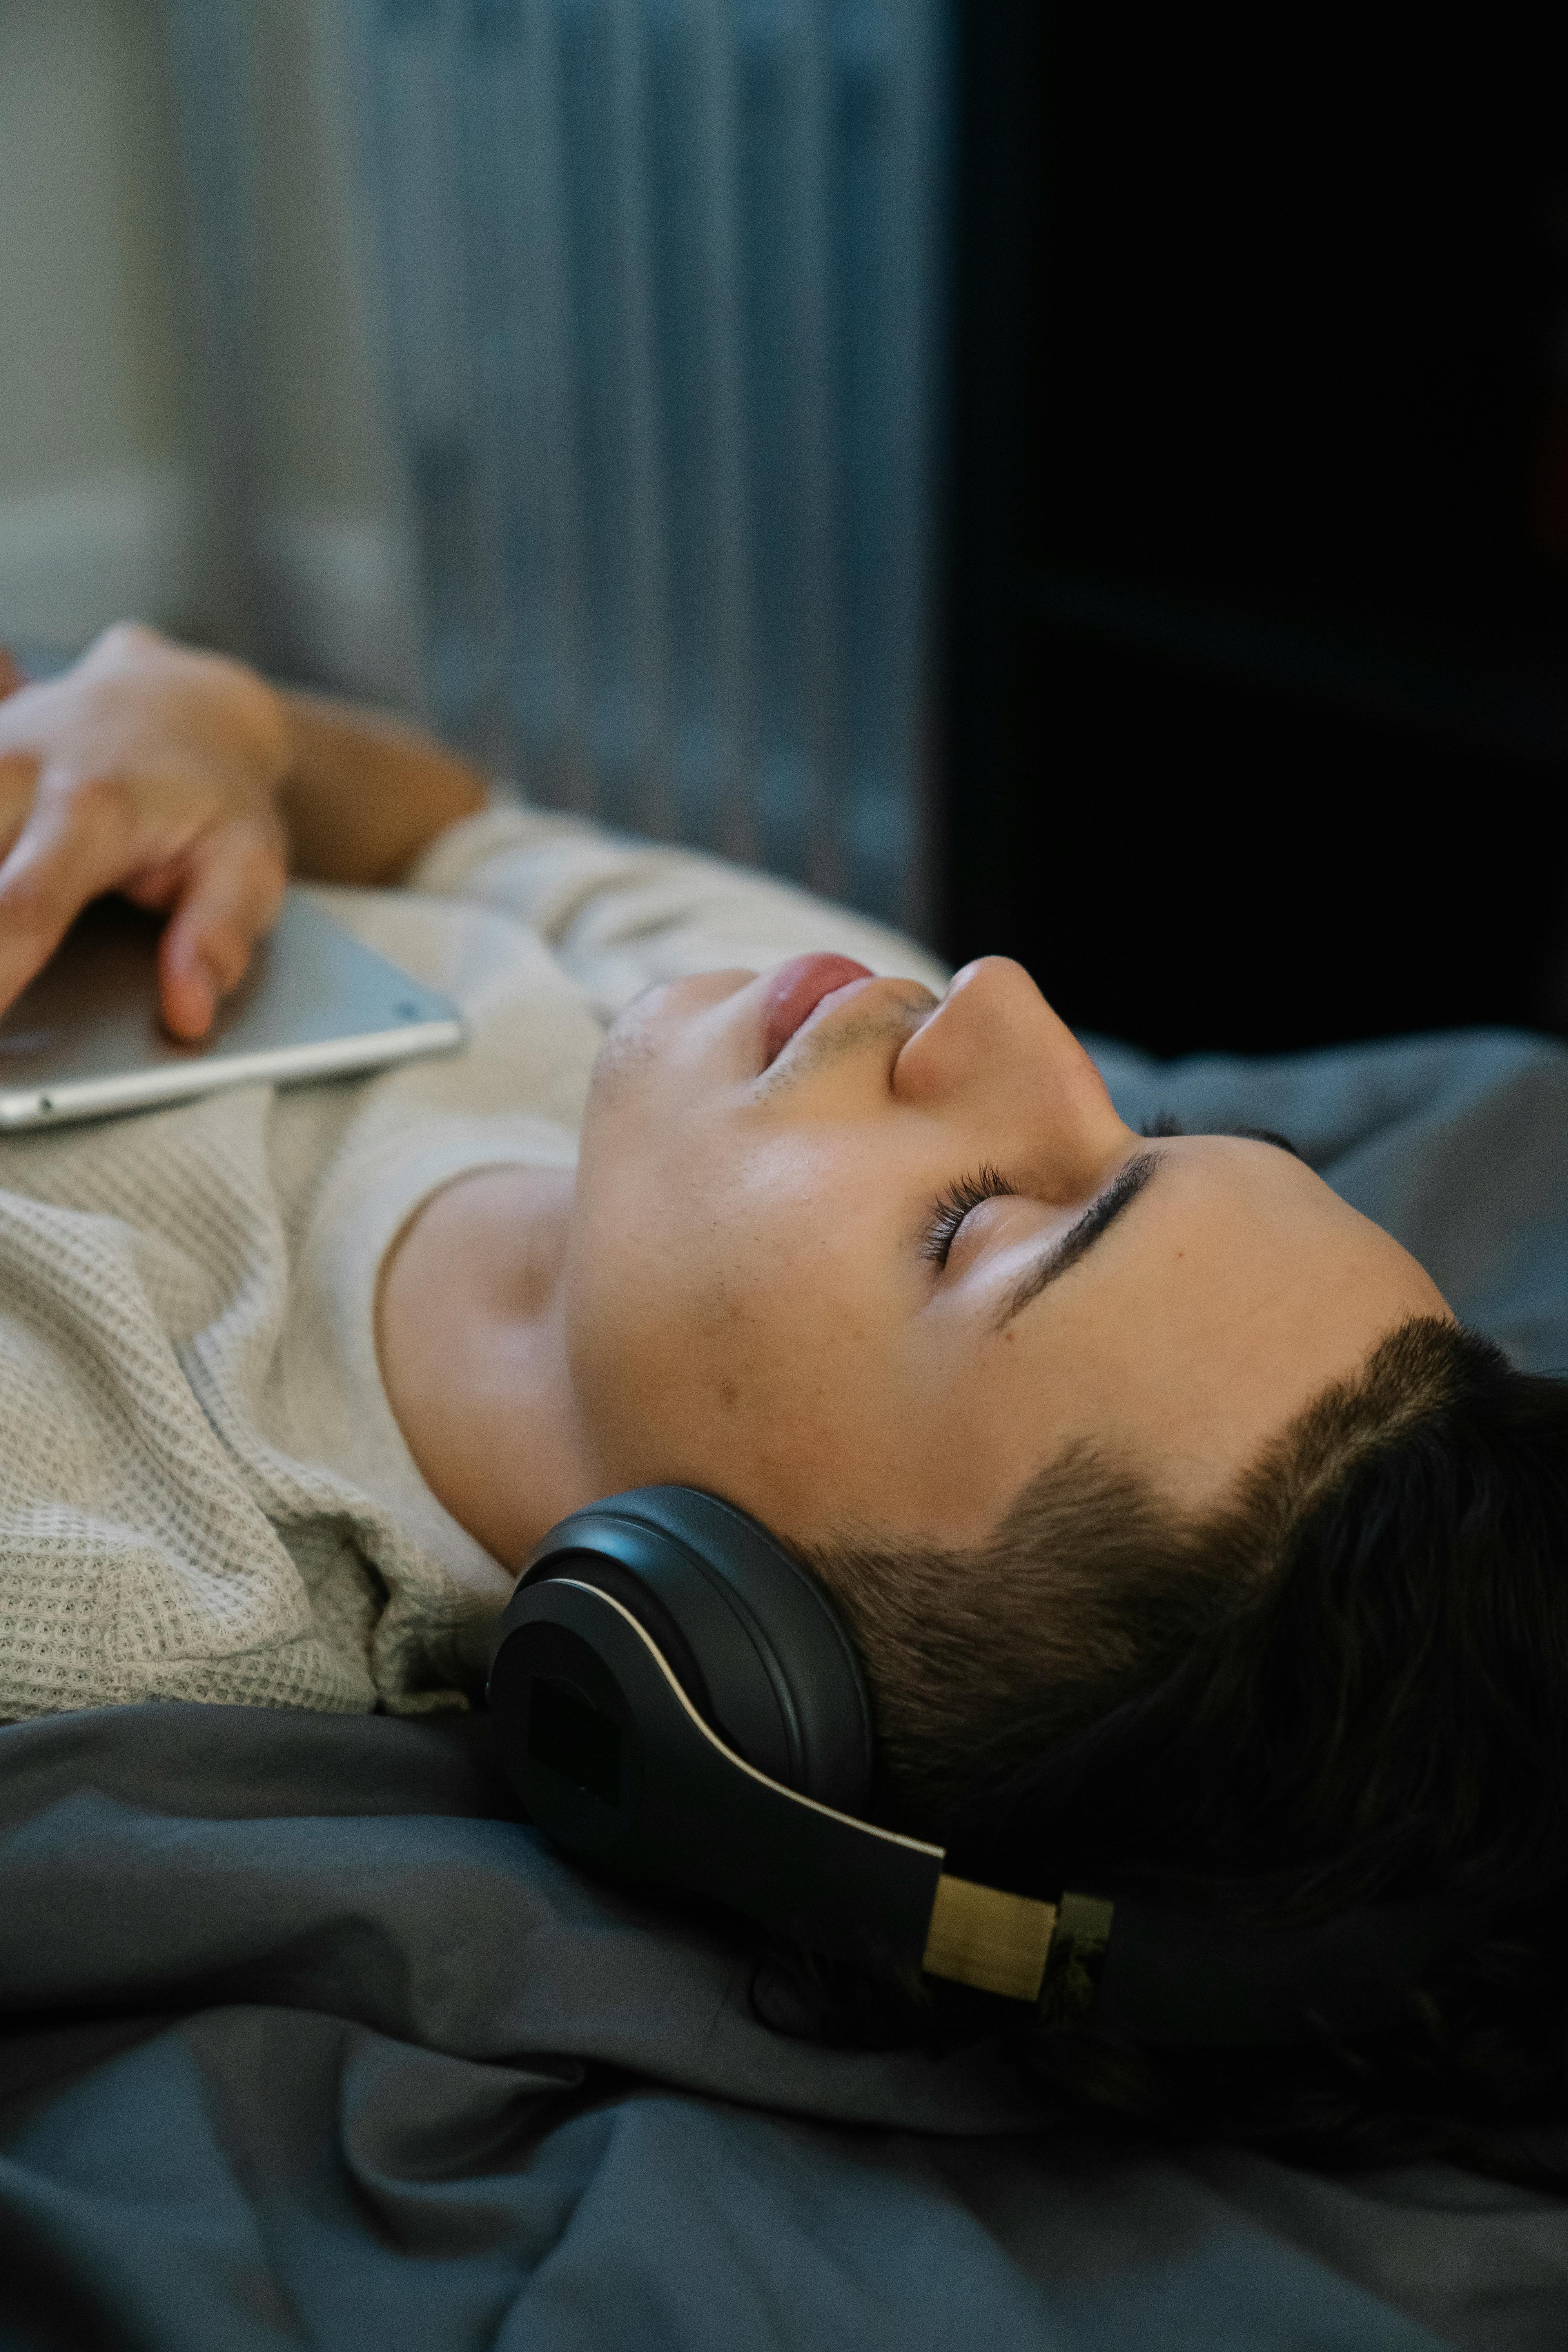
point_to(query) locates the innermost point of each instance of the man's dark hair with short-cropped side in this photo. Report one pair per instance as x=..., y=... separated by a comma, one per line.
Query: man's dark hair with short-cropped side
x=1346, y=1685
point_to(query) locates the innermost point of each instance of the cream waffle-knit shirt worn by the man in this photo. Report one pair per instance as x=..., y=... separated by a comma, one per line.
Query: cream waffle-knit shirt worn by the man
x=203, y=1492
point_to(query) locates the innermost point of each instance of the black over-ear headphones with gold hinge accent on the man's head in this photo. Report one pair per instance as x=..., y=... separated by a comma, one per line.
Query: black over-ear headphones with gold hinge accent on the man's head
x=681, y=1704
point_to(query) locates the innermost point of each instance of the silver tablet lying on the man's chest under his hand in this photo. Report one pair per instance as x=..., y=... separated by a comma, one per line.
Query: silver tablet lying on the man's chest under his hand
x=83, y=1041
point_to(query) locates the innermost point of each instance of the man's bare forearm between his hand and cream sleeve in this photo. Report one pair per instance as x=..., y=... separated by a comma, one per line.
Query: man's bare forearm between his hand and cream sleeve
x=366, y=794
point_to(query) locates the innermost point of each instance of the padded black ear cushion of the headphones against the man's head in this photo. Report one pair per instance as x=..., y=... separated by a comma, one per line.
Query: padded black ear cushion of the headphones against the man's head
x=751, y=1636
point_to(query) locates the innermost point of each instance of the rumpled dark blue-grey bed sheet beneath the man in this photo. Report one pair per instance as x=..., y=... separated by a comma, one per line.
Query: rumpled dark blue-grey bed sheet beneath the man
x=307, y=2040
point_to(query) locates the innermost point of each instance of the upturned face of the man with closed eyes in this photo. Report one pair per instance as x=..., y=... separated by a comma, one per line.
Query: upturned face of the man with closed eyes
x=845, y=1269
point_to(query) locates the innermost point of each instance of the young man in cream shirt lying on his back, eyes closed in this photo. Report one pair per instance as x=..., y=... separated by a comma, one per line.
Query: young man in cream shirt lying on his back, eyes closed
x=1181, y=1530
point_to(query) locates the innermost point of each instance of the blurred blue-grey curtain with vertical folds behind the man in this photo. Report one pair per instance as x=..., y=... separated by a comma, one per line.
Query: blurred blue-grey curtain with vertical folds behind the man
x=662, y=302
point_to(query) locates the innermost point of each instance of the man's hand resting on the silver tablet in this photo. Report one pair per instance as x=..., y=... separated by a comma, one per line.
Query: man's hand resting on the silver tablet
x=154, y=773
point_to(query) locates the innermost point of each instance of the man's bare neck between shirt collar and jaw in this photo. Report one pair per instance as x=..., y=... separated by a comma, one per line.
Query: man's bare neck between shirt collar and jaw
x=471, y=1335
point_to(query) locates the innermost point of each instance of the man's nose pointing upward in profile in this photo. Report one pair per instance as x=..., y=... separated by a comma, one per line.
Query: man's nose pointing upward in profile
x=1007, y=1064
